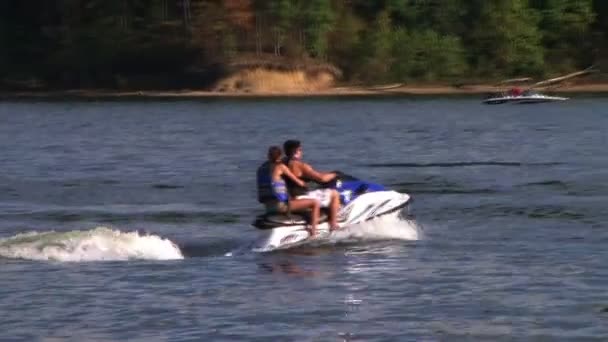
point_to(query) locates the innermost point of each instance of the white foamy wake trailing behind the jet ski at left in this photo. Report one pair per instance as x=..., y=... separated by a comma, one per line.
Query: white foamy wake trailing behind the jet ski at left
x=97, y=244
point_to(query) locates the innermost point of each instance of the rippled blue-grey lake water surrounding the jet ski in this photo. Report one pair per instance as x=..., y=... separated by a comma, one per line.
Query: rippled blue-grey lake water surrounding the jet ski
x=130, y=220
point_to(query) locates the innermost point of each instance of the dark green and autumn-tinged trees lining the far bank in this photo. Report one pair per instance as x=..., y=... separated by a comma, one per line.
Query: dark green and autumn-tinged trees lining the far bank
x=173, y=43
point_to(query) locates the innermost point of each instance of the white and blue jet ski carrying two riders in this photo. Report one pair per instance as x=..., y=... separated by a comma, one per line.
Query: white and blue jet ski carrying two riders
x=361, y=202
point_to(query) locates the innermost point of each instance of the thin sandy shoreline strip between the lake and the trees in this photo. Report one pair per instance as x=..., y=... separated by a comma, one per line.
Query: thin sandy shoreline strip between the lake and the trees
x=394, y=89
